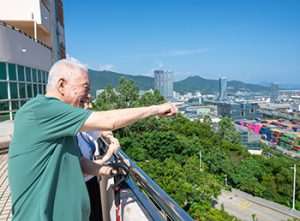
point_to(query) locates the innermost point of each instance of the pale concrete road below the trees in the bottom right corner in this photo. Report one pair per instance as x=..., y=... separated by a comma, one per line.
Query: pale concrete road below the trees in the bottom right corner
x=243, y=206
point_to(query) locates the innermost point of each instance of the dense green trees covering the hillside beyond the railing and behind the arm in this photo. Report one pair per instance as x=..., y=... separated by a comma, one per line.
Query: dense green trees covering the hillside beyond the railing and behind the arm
x=167, y=150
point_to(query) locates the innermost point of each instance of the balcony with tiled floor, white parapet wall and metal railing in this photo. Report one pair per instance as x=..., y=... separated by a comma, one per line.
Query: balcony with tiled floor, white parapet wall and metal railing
x=140, y=197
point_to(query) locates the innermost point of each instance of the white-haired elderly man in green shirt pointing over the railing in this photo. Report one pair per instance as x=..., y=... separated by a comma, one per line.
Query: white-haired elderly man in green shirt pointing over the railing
x=45, y=174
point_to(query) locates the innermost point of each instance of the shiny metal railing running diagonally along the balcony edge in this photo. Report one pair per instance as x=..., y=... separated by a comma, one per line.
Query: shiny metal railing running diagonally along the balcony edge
x=154, y=194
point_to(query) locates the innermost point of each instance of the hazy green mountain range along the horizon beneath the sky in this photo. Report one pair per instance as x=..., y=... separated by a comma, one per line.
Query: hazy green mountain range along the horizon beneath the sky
x=100, y=79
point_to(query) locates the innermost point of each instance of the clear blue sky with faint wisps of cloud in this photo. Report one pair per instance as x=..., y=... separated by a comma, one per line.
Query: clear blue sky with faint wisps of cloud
x=248, y=40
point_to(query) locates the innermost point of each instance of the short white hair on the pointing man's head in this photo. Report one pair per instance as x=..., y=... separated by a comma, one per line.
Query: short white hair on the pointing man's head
x=64, y=68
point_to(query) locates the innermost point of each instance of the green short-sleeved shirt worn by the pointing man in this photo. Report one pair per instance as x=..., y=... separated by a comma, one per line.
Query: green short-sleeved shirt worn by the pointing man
x=44, y=172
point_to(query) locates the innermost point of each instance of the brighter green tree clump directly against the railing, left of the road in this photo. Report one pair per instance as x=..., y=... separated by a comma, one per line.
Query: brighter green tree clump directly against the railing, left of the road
x=197, y=190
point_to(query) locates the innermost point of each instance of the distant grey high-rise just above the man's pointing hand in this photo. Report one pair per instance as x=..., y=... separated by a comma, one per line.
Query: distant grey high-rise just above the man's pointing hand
x=164, y=82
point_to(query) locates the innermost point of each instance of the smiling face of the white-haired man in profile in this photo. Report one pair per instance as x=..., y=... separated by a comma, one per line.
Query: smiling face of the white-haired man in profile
x=78, y=89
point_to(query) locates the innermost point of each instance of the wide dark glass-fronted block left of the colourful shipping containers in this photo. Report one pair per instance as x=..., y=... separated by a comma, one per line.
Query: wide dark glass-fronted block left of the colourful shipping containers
x=239, y=110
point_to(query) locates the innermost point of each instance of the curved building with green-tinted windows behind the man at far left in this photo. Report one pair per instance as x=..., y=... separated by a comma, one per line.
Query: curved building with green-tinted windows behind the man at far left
x=31, y=40
